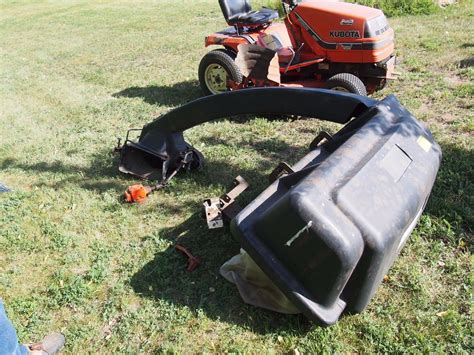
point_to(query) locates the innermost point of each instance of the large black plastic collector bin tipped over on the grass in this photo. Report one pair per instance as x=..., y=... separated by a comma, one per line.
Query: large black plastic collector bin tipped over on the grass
x=328, y=233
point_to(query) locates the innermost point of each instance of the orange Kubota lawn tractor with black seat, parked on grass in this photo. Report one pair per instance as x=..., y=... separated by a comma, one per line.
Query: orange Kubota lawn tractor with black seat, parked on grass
x=321, y=43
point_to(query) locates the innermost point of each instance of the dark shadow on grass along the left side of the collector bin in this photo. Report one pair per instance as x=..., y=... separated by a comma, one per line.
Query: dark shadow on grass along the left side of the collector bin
x=166, y=278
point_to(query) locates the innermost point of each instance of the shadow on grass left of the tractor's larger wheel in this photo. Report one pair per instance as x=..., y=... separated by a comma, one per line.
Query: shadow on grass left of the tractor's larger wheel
x=177, y=94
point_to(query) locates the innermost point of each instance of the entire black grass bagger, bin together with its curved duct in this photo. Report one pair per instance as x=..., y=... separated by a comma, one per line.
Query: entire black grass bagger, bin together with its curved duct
x=327, y=229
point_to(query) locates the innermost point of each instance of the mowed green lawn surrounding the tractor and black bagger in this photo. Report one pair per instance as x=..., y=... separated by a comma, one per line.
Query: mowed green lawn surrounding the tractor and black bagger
x=75, y=75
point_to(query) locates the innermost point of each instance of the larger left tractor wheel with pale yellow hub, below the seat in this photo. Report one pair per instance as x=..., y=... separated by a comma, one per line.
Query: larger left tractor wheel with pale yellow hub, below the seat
x=215, y=68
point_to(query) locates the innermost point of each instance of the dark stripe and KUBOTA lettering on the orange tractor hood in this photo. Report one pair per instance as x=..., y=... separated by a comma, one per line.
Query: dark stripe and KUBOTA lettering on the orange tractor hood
x=337, y=34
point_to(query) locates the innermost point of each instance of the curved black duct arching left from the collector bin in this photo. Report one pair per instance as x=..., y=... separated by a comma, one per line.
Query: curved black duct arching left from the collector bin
x=161, y=145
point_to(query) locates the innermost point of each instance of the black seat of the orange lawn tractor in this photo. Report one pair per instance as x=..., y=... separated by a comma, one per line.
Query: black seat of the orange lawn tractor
x=239, y=13
